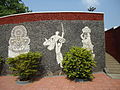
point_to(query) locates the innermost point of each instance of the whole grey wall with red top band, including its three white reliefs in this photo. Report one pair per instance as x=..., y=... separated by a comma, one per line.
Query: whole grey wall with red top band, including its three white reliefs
x=53, y=37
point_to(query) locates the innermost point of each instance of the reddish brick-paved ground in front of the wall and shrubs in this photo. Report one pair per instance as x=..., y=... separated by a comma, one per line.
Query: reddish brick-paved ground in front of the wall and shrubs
x=101, y=82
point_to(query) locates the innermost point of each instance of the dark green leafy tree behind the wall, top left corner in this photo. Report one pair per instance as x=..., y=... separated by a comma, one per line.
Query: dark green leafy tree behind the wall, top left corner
x=8, y=7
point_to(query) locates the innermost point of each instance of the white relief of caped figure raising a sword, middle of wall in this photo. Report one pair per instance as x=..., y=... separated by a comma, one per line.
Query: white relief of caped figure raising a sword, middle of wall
x=56, y=42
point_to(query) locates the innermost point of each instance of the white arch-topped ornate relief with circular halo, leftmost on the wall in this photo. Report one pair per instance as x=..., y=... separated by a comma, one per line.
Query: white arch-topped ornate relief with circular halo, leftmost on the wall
x=18, y=42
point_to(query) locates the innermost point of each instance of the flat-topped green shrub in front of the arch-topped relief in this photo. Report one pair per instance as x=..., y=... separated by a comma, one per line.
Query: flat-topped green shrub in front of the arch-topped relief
x=25, y=65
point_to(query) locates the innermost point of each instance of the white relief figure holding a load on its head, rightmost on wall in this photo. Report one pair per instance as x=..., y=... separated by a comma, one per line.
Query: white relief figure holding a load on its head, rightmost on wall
x=86, y=39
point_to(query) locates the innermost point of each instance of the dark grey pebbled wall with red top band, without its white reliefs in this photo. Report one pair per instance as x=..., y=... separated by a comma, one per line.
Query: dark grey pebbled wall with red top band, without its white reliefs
x=45, y=25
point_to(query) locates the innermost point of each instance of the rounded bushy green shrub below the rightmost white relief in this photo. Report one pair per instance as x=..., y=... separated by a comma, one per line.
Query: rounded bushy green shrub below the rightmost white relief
x=78, y=63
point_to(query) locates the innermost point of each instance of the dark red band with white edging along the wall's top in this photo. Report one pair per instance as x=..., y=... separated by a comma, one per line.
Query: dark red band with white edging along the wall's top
x=42, y=16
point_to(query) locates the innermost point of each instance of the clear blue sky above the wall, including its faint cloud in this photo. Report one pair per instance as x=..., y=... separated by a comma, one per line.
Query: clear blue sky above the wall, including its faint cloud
x=110, y=8
